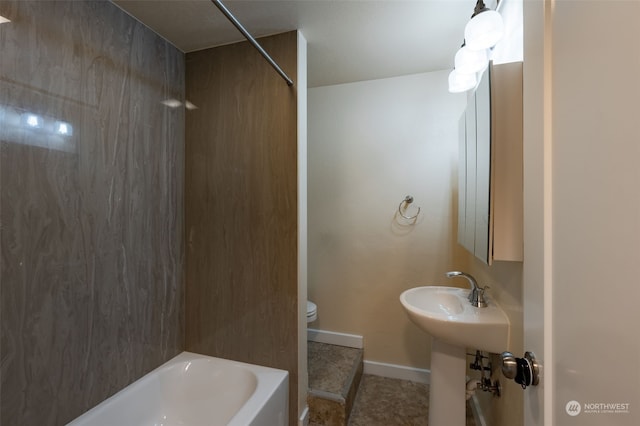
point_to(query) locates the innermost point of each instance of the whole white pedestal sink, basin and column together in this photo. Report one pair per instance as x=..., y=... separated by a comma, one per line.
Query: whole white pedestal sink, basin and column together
x=454, y=324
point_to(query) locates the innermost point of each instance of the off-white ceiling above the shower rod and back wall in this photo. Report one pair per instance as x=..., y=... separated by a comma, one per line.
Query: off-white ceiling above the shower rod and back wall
x=348, y=40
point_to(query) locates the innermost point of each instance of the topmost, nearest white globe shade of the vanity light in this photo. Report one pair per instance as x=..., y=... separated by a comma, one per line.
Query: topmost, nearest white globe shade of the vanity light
x=484, y=29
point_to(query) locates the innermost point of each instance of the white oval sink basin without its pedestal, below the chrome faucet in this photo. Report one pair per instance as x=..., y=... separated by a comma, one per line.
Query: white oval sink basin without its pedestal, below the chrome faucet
x=446, y=314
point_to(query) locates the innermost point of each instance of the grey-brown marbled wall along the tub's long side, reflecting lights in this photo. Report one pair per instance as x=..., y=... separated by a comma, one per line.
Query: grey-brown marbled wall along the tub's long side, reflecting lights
x=91, y=206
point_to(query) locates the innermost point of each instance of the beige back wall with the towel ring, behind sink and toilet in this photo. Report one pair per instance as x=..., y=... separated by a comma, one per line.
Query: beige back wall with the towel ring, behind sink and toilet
x=371, y=144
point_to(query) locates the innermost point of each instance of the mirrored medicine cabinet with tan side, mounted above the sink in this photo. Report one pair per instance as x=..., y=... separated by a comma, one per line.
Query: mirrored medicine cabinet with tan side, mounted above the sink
x=490, y=211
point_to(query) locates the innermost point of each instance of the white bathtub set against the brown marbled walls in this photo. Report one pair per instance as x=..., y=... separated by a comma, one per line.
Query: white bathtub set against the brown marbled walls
x=197, y=390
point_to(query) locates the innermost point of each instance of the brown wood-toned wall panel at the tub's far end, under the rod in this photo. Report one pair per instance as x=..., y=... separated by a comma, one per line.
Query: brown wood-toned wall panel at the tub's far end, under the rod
x=241, y=207
